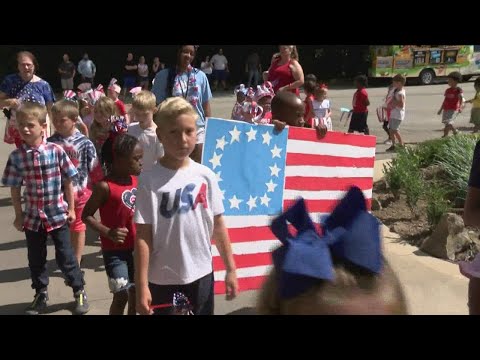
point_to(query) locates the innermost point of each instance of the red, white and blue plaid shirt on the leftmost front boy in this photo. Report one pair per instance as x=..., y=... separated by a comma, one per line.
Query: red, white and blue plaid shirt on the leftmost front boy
x=42, y=171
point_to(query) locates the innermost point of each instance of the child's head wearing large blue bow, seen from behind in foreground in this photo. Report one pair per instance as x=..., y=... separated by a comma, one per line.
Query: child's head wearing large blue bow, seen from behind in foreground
x=341, y=271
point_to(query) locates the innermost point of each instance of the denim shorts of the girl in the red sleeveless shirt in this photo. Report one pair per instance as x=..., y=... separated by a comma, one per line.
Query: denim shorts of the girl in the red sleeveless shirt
x=119, y=269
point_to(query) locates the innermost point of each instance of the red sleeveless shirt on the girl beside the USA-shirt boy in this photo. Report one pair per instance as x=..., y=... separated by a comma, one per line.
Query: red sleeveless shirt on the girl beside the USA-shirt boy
x=118, y=211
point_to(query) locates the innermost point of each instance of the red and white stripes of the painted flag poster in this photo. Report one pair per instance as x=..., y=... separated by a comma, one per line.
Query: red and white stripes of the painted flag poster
x=319, y=171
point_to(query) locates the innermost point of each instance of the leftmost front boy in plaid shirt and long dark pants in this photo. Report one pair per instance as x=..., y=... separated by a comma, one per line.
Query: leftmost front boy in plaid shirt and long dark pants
x=46, y=172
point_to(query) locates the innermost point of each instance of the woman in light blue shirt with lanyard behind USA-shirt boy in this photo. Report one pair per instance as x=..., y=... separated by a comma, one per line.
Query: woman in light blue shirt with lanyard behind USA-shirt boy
x=191, y=84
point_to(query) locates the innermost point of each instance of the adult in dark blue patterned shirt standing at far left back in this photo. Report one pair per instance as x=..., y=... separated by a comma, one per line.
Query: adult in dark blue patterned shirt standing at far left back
x=25, y=86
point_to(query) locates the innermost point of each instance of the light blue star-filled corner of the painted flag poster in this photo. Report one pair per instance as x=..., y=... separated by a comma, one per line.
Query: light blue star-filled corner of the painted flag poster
x=249, y=161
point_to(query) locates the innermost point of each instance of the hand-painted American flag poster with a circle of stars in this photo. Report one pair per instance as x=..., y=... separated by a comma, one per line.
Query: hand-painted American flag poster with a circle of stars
x=262, y=172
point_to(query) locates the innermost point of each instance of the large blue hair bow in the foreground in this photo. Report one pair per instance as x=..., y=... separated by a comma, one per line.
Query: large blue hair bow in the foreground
x=351, y=234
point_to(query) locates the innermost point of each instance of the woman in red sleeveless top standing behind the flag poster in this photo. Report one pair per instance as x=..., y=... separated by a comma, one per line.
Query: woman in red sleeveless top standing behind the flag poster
x=285, y=72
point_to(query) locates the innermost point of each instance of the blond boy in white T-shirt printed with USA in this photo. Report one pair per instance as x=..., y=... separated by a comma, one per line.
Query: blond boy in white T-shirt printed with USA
x=178, y=210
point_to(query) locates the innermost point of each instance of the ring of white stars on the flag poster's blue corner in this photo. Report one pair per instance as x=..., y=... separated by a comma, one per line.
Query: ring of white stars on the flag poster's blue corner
x=274, y=170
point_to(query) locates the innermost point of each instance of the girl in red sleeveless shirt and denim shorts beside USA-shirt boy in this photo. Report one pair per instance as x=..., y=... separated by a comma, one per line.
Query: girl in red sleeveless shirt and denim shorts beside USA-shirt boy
x=114, y=197
